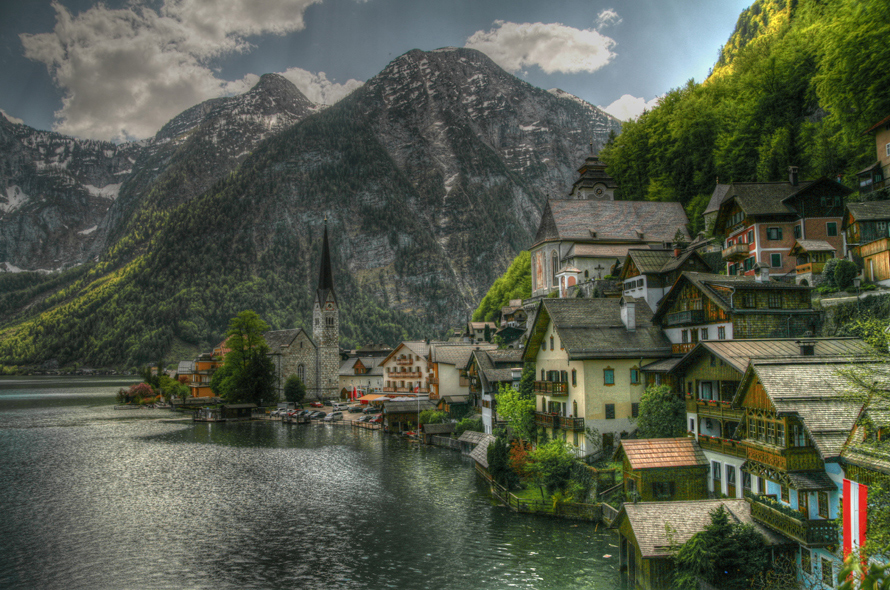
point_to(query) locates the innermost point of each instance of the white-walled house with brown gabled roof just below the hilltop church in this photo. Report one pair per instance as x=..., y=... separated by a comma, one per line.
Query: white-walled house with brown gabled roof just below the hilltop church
x=649, y=273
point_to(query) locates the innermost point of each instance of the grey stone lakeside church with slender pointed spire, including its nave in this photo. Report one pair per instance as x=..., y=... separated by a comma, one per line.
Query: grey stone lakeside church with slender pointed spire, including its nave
x=314, y=359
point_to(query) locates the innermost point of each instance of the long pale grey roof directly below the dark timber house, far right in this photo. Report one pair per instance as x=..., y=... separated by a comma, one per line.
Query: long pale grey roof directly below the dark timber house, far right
x=738, y=353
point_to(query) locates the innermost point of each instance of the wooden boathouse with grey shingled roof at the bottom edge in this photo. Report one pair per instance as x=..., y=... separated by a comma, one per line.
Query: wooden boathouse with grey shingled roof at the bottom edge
x=650, y=532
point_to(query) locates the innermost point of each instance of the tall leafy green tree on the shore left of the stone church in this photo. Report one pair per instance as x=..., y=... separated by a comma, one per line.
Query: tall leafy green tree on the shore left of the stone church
x=248, y=371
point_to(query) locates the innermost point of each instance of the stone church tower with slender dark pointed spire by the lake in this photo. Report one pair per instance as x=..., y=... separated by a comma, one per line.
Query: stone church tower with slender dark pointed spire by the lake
x=326, y=328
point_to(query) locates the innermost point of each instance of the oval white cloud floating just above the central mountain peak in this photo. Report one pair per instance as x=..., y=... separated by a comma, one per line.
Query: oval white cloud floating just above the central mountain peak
x=553, y=47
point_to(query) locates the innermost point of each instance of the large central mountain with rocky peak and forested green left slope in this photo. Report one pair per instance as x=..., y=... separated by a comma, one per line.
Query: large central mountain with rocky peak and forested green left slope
x=432, y=176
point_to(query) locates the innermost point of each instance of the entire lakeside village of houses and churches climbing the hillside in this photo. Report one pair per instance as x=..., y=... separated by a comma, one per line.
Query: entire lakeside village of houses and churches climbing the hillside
x=623, y=298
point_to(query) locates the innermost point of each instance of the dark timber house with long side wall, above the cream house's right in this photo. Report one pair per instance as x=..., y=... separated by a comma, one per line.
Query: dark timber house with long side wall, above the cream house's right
x=702, y=307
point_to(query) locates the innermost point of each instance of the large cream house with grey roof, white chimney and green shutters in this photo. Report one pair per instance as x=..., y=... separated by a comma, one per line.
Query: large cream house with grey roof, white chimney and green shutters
x=587, y=355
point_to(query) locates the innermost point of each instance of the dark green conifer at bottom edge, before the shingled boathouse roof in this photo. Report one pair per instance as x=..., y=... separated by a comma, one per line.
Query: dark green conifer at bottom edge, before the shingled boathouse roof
x=726, y=555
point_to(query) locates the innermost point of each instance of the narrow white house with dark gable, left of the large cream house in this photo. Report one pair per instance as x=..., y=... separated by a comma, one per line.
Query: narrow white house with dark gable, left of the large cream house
x=486, y=371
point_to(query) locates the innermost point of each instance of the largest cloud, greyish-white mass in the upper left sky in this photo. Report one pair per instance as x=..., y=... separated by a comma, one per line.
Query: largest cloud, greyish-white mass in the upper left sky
x=126, y=72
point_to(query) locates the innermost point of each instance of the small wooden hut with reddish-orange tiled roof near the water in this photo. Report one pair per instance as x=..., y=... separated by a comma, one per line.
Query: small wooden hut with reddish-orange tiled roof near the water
x=663, y=469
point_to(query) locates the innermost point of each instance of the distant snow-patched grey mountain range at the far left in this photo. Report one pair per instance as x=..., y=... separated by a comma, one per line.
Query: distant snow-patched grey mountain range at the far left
x=67, y=199
